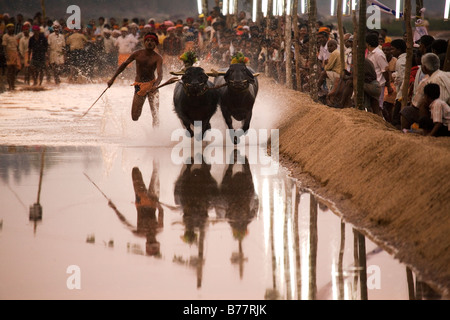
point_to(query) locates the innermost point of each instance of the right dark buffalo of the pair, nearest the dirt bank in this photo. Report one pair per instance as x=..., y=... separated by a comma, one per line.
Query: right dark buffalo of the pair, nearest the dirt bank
x=238, y=96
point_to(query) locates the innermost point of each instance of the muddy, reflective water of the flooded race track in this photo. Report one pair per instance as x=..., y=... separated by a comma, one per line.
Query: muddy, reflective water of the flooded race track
x=100, y=207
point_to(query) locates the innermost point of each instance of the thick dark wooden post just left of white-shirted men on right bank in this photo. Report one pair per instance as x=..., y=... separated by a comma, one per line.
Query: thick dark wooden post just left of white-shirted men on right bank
x=361, y=54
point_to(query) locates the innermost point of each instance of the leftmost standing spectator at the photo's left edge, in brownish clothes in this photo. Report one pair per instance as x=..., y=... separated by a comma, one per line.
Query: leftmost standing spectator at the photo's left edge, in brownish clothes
x=11, y=50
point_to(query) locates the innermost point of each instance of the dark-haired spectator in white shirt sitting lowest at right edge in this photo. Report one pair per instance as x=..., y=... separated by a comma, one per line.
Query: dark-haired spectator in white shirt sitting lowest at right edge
x=435, y=124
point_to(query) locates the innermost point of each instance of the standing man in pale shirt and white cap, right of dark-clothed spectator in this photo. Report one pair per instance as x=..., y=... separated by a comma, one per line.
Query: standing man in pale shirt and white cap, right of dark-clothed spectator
x=56, y=48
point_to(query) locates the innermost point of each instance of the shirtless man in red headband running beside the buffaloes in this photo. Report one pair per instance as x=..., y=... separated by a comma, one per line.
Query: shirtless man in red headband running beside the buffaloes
x=147, y=62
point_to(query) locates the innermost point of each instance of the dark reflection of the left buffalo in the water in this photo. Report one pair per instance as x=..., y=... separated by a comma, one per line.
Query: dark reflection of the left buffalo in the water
x=196, y=192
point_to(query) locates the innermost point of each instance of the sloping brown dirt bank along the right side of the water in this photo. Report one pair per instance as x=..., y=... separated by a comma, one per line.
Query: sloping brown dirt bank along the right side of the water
x=395, y=186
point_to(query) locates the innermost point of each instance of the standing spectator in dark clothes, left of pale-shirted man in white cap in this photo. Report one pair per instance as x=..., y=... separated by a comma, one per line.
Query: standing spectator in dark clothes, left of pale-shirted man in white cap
x=37, y=54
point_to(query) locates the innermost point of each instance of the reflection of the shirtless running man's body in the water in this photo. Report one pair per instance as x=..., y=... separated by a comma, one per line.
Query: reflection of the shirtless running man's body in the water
x=147, y=202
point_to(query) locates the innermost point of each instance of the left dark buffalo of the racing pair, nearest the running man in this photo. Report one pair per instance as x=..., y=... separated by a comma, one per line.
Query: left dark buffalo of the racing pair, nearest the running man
x=194, y=100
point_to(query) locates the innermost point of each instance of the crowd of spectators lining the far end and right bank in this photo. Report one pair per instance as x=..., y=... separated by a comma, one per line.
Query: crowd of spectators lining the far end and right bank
x=37, y=48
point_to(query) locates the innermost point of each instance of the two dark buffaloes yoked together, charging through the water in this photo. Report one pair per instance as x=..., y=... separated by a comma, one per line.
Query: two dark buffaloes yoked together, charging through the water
x=197, y=99
